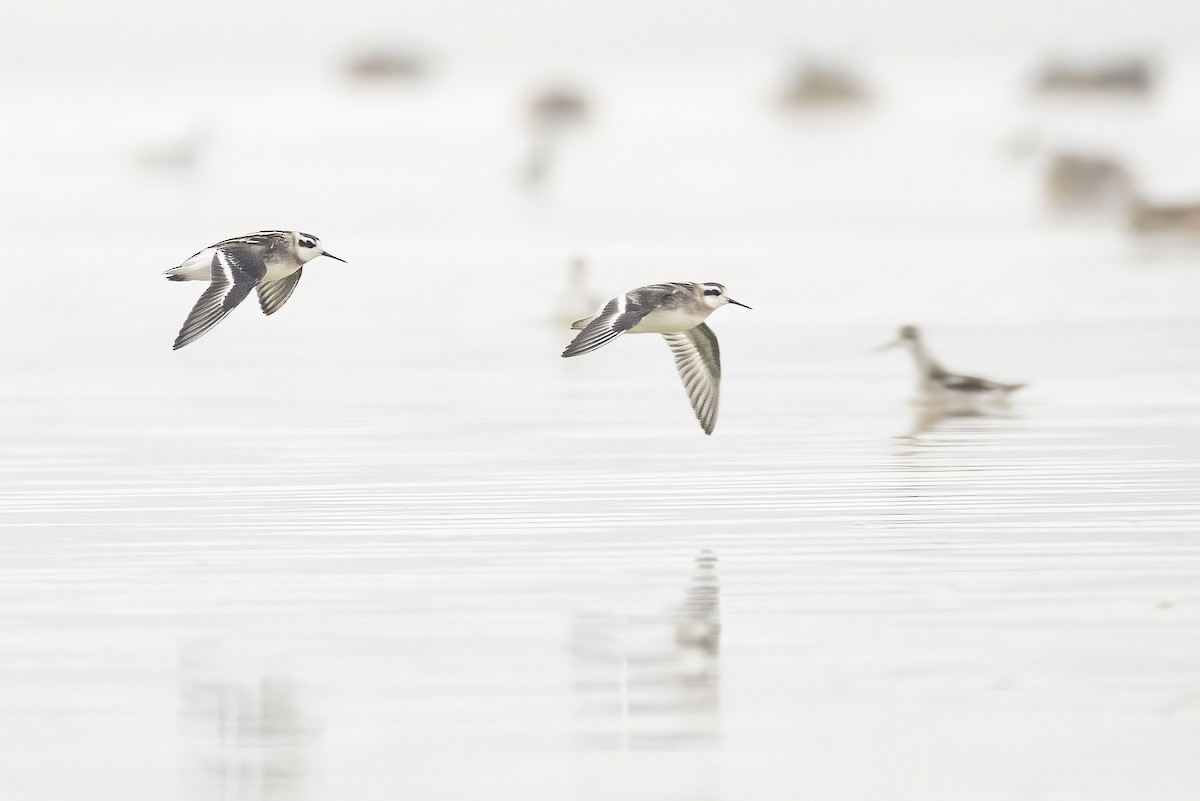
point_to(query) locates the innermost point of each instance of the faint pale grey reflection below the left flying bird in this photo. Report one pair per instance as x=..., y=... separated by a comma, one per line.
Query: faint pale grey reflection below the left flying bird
x=247, y=734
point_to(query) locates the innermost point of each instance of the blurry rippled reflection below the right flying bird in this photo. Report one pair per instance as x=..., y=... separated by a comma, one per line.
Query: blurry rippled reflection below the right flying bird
x=647, y=689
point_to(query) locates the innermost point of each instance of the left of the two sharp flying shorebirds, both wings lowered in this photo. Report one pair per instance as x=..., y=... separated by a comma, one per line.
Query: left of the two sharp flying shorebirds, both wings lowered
x=271, y=262
